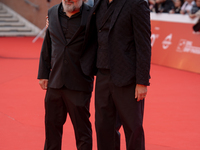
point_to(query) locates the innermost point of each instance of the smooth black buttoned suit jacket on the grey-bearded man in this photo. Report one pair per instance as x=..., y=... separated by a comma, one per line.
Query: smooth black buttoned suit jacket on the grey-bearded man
x=62, y=63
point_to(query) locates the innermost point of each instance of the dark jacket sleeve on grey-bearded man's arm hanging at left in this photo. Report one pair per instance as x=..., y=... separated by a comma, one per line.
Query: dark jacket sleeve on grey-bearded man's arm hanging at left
x=45, y=58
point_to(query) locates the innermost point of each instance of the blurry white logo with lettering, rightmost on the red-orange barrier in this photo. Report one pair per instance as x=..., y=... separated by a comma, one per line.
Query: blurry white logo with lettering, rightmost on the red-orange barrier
x=187, y=47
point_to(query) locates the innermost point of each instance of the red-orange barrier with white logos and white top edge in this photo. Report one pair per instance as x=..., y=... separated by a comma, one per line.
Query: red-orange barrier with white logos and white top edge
x=174, y=44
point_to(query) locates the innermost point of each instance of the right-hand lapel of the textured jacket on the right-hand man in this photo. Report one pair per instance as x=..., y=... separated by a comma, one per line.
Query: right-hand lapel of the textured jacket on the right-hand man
x=117, y=10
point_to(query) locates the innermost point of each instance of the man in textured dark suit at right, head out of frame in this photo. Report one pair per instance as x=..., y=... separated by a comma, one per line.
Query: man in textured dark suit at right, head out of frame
x=123, y=60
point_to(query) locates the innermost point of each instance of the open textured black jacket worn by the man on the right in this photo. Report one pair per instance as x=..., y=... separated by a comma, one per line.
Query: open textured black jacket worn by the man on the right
x=128, y=41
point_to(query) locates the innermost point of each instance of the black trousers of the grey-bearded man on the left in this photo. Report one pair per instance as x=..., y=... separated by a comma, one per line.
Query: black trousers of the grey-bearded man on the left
x=59, y=102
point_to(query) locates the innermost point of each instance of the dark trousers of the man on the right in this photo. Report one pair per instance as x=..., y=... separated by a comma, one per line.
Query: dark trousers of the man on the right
x=109, y=100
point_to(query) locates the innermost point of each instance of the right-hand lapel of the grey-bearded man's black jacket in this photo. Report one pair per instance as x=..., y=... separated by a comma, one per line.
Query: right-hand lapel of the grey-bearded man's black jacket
x=84, y=16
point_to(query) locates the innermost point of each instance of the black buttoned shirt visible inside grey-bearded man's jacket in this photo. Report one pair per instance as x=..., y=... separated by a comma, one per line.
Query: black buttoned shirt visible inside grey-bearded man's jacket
x=69, y=25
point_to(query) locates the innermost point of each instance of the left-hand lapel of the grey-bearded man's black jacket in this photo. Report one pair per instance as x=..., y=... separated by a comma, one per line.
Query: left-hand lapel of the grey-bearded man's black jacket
x=58, y=25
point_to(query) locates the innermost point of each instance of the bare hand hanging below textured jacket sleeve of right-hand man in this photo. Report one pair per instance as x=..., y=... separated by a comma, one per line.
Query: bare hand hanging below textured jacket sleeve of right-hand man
x=140, y=91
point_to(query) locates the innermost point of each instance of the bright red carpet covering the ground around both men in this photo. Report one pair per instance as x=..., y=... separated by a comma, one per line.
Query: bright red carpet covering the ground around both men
x=172, y=107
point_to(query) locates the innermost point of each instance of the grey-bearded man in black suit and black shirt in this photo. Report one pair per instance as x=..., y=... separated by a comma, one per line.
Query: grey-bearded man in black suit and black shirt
x=66, y=72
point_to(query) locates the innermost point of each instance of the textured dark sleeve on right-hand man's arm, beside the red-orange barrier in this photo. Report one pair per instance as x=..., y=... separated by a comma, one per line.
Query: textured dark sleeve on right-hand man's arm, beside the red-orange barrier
x=142, y=36
